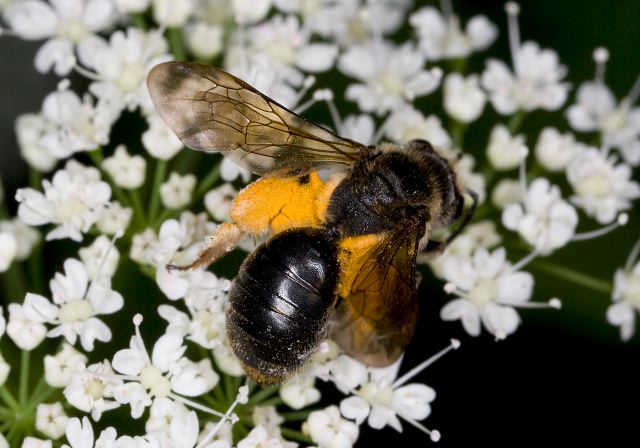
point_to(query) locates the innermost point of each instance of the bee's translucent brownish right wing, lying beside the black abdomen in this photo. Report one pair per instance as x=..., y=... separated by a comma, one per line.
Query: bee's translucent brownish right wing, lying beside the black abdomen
x=375, y=323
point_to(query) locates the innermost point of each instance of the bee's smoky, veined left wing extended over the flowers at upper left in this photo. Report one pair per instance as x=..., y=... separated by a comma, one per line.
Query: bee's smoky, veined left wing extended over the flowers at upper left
x=211, y=110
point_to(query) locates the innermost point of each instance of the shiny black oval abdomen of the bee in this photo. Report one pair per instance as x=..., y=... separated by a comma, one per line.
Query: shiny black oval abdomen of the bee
x=280, y=302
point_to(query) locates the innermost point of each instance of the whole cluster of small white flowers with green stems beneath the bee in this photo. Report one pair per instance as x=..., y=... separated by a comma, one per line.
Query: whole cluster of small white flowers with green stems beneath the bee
x=112, y=191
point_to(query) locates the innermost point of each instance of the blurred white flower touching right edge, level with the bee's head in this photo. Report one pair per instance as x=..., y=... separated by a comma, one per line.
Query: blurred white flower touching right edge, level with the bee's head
x=602, y=188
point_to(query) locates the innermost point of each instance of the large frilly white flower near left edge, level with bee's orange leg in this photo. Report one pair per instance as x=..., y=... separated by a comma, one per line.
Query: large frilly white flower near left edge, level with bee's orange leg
x=73, y=199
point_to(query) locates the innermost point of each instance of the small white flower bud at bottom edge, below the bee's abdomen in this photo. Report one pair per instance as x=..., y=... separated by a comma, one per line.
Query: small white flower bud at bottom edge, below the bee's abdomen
x=329, y=430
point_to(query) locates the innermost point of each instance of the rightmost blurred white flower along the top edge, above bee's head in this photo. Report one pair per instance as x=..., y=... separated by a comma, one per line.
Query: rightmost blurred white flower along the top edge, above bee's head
x=442, y=38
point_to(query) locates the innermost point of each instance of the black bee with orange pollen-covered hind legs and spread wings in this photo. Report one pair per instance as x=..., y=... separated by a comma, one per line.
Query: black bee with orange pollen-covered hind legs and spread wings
x=347, y=220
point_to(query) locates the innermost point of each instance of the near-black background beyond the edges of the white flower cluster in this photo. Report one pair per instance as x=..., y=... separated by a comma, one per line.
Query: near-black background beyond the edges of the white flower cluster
x=564, y=377
